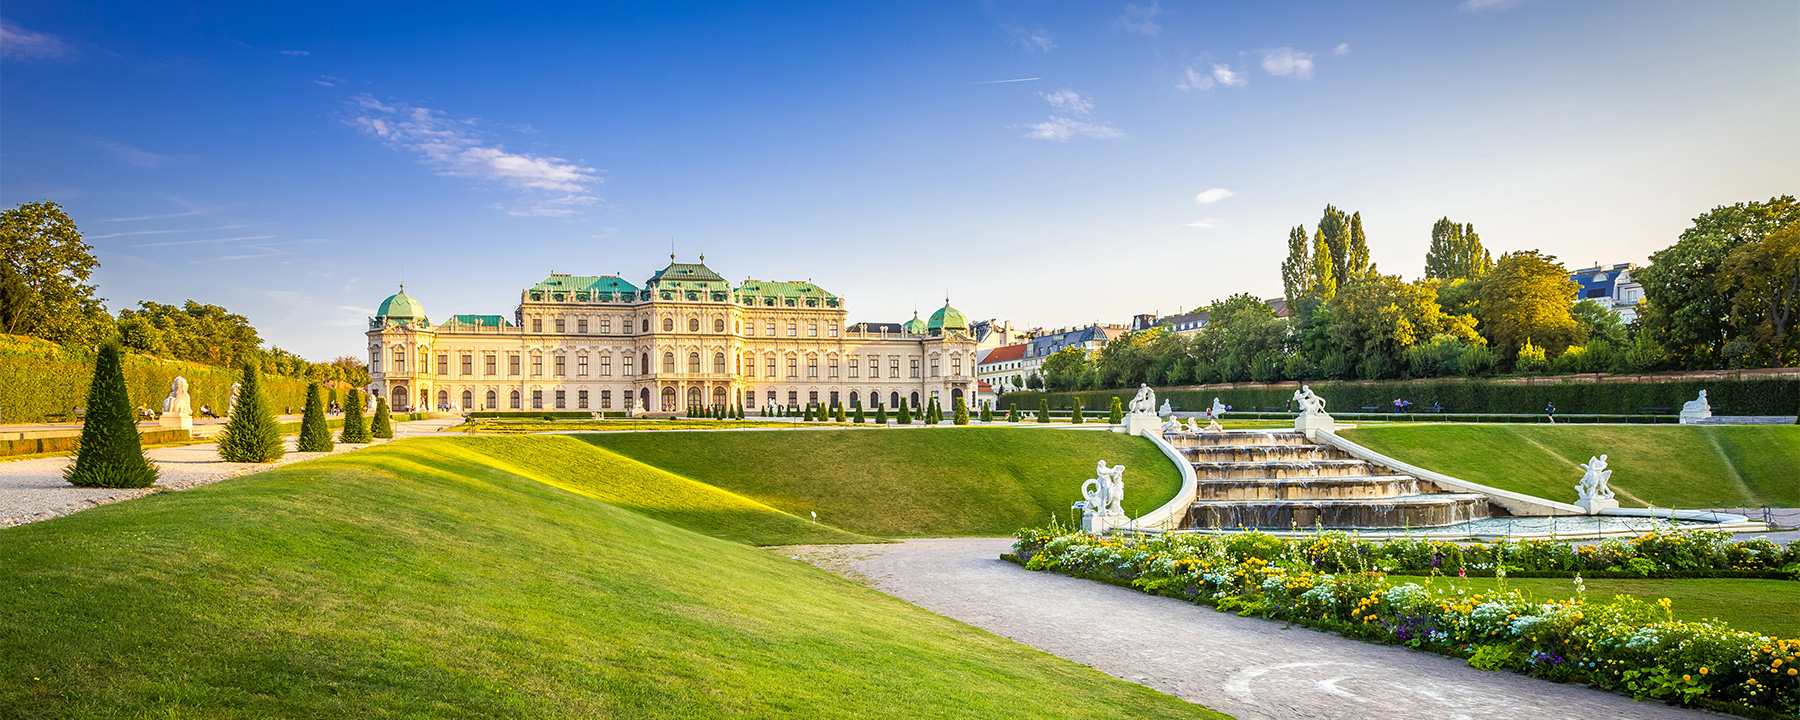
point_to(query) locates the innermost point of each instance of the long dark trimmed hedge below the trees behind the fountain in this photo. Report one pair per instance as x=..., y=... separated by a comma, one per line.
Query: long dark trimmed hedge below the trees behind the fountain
x=1763, y=397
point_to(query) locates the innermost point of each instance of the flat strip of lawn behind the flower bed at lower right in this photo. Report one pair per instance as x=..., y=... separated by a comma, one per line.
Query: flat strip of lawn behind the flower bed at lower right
x=1758, y=606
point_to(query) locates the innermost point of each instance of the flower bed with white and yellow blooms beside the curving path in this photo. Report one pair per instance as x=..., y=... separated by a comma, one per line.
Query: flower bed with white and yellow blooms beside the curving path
x=1338, y=582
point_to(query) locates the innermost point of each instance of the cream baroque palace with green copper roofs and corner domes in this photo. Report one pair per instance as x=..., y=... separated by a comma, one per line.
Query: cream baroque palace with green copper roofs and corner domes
x=687, y=339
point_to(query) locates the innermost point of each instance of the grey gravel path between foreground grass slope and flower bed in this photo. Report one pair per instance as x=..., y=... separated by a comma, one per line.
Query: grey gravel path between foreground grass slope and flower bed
x=1245, y=667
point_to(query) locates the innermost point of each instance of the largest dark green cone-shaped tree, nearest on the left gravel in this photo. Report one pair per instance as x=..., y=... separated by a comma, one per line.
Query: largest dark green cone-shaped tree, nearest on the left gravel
x=111, y=454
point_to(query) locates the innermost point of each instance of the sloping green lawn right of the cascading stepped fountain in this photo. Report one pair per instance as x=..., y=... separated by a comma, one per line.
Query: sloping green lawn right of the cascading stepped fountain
x=1668, y=465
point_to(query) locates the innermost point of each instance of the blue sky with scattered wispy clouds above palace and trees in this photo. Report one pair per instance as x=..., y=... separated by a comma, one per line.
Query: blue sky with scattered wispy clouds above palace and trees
x=1041, y=163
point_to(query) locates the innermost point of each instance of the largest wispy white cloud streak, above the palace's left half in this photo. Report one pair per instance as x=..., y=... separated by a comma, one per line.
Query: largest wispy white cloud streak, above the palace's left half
x=550, y=186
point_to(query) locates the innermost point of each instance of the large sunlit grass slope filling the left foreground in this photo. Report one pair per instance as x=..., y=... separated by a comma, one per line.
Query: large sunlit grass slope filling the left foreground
x=418, y=580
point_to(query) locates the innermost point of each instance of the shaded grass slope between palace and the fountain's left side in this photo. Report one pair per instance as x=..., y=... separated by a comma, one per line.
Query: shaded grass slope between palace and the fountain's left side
x=910, y=483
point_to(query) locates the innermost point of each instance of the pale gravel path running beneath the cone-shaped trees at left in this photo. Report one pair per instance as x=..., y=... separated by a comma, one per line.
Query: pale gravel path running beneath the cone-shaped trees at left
x=35, y=490
